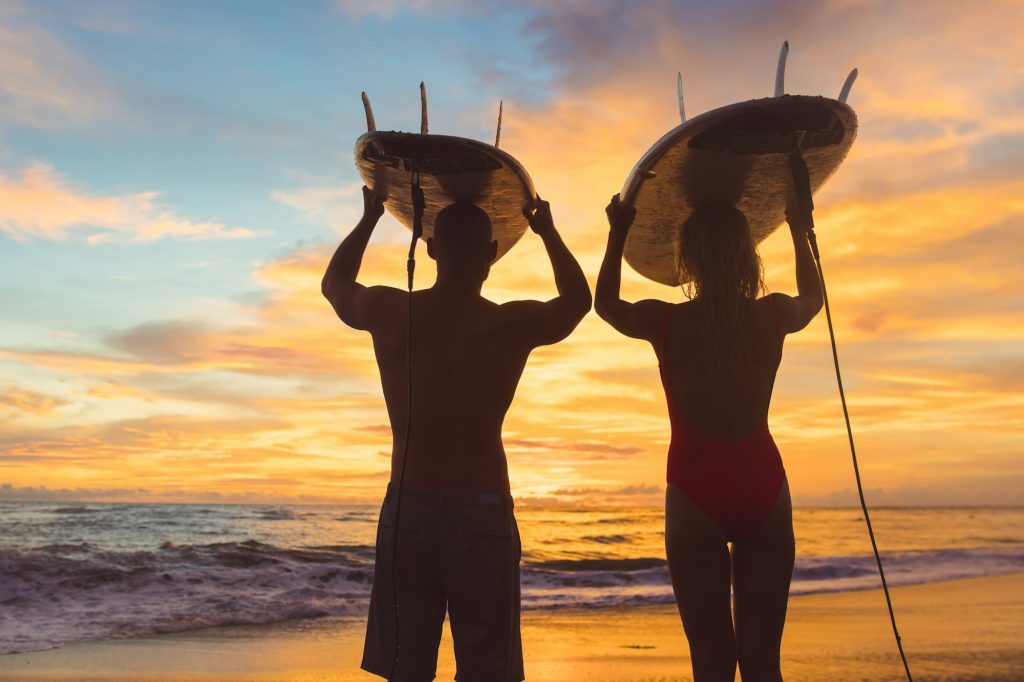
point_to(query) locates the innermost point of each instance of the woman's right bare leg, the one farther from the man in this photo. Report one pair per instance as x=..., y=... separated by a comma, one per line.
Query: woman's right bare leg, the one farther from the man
x=762, y=569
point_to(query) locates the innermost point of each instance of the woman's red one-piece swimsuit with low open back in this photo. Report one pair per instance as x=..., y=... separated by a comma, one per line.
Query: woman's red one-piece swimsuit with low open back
x=736, y=483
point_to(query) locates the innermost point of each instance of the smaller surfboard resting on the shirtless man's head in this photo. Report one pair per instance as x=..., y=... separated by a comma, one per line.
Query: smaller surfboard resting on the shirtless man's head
x=451, y=169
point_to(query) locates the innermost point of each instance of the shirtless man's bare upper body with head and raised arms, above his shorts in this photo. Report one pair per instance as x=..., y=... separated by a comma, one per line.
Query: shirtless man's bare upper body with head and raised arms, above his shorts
x=468, y=353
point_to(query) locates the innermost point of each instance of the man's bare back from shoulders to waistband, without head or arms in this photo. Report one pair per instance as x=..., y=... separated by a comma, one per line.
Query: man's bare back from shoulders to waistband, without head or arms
x=468, y=356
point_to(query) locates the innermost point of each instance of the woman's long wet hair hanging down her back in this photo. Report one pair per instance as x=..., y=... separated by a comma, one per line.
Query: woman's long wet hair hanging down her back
x=718, y=255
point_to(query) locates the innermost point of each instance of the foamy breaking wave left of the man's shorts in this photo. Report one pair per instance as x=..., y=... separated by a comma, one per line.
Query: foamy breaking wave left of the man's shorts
x=59, y=594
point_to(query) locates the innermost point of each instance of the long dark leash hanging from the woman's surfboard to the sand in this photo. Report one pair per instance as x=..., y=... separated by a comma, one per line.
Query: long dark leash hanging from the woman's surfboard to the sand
x=799, y=167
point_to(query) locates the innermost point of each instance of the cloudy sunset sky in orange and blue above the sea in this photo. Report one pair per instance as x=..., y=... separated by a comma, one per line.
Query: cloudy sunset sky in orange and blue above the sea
x=176, y=177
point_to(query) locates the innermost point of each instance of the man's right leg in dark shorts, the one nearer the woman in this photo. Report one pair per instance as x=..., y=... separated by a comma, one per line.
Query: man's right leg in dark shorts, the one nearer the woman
x=482, y=576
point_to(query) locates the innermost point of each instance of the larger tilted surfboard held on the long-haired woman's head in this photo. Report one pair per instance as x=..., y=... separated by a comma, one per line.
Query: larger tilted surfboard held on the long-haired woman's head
x=738, y=154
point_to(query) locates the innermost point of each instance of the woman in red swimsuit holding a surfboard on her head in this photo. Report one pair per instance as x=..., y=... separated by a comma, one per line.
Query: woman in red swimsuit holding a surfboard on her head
x=718, y=355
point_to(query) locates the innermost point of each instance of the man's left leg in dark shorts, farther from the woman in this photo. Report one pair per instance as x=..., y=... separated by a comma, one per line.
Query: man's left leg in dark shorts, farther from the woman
x=421, y=600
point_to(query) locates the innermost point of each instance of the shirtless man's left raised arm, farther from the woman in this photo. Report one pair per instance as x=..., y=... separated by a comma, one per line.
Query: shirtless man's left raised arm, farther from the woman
x=355, y=304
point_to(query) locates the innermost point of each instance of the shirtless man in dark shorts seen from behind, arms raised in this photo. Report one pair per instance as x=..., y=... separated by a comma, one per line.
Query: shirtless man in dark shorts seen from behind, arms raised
x=458, y=543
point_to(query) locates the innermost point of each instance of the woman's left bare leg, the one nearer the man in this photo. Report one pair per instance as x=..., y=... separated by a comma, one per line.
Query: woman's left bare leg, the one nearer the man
x=699, y=563
